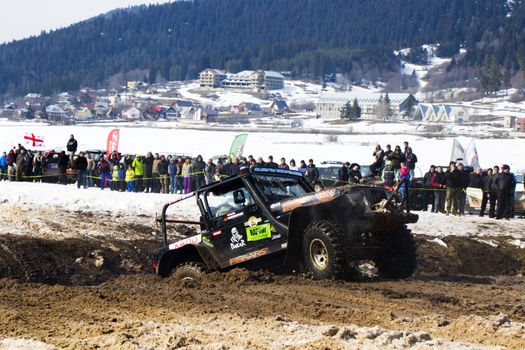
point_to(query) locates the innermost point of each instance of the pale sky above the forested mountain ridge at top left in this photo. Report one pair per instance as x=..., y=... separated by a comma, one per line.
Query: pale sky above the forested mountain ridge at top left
x=22, y=18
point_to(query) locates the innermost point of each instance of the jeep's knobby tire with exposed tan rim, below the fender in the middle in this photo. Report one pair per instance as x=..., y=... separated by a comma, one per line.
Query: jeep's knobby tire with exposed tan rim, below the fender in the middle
x=322, y=250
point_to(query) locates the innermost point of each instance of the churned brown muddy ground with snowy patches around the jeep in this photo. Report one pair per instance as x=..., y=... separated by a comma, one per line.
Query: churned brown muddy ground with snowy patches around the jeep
x=71, y=280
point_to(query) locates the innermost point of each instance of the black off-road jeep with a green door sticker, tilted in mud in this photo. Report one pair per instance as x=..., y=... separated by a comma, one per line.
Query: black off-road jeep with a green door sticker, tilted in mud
x=272, y=217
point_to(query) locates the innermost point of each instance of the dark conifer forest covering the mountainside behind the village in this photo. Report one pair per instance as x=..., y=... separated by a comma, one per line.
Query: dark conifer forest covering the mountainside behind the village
x=308, y=38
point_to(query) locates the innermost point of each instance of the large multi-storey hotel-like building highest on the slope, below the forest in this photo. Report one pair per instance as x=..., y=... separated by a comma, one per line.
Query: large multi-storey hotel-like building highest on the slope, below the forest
x=247, y=79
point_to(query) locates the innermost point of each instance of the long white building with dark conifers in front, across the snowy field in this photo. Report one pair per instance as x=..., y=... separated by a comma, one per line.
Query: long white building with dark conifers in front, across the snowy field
x=330, y=104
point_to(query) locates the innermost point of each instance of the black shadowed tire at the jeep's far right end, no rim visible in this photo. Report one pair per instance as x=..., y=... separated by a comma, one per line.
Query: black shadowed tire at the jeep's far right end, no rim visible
x=397, y=257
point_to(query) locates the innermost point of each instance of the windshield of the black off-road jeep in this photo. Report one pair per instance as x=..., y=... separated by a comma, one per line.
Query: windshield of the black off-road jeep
x=276, y=188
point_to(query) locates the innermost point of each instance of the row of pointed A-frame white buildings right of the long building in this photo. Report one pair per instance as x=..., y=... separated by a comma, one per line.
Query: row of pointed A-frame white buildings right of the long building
x=441, y=113
